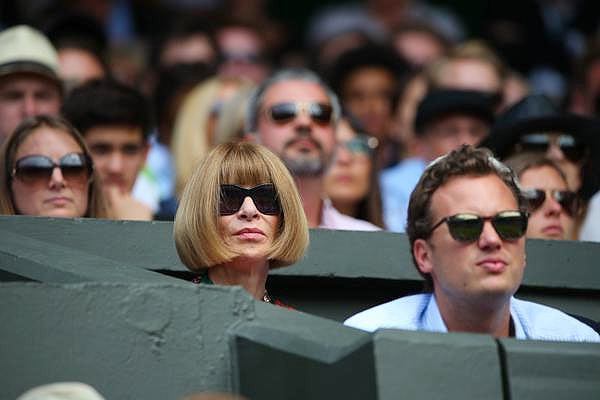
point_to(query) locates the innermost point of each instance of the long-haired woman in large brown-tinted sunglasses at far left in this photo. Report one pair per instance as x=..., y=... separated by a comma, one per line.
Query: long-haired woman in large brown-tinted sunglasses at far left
x=46, y=170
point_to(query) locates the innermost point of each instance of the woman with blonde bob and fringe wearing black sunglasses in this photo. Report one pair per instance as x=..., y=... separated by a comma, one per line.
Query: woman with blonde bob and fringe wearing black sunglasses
x=240, y=214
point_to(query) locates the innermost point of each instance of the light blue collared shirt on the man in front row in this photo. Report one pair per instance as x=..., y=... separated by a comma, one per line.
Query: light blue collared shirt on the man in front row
x=421, y=312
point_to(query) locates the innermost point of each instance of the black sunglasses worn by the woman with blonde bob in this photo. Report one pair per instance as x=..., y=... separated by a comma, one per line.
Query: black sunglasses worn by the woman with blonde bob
x=264, y=197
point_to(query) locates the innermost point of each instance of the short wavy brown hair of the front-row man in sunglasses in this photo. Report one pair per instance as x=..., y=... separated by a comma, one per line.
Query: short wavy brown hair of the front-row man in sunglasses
x=465, y=161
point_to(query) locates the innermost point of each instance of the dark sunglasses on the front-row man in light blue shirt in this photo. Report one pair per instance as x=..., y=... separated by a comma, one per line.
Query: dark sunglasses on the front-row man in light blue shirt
x=466, y=228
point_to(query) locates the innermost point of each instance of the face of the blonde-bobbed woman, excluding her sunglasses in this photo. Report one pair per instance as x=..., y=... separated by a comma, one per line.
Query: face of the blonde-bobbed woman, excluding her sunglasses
x=248, y=231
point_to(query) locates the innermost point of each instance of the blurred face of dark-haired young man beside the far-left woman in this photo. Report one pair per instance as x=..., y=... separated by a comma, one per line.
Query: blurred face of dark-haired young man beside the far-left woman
x=119, y=153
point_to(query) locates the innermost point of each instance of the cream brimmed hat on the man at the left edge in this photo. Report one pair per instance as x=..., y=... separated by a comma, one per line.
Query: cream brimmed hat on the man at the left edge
x=24, y=49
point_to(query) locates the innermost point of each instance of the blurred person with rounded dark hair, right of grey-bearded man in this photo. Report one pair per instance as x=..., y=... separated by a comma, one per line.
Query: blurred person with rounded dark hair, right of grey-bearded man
x=368, y=79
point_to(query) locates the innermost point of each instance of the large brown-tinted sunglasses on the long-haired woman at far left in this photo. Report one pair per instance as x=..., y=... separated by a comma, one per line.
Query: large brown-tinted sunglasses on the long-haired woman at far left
x=74, y=167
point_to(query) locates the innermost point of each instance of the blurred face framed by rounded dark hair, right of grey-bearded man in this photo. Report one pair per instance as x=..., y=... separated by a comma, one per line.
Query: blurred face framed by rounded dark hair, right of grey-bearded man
x=367, y=93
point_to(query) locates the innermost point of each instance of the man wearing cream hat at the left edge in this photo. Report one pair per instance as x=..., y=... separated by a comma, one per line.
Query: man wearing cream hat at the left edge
x=29, y=82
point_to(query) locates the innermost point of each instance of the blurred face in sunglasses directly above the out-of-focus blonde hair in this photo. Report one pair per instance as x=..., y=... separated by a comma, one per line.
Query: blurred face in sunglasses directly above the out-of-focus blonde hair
x=243, y=54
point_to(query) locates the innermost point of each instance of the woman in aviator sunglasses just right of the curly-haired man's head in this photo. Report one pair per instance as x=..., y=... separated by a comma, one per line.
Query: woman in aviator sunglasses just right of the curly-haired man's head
x=553, y=207
